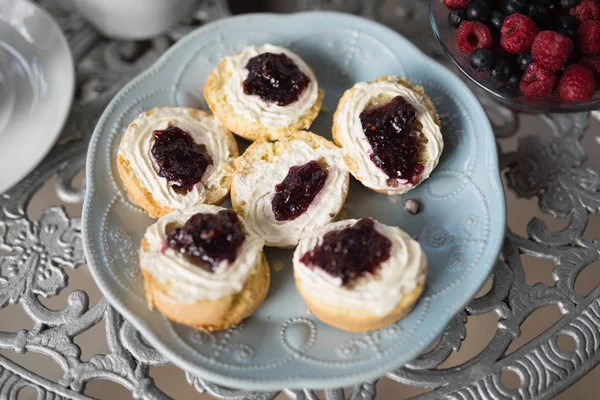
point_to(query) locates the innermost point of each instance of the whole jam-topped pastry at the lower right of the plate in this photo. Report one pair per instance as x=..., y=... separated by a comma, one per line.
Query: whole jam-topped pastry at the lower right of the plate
x=359, y=275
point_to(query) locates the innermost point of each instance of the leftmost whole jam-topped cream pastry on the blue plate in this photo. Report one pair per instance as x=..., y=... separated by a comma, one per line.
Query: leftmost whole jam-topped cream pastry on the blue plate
x=174, y=158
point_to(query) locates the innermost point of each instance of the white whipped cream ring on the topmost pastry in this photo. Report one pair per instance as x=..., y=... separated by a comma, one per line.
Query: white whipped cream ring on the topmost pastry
x=252, y=107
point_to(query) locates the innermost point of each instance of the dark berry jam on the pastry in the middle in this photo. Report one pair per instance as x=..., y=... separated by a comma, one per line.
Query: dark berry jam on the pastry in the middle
x=299, y=188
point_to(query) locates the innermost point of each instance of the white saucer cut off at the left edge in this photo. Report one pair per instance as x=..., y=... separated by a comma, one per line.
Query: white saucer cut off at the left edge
x=37, y=81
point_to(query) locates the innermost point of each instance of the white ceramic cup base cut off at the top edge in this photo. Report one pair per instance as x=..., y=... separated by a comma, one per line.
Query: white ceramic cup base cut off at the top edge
x=133, y=19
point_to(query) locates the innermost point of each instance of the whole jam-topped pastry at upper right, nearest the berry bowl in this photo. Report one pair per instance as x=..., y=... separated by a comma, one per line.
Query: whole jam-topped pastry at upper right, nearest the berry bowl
x=390, y=133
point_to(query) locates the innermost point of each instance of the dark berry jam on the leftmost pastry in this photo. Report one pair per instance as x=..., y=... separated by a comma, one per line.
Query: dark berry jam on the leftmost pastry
x=180, y=159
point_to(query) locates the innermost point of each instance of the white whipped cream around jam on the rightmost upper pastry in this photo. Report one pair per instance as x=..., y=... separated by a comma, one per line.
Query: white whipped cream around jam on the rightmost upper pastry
x=357, y=146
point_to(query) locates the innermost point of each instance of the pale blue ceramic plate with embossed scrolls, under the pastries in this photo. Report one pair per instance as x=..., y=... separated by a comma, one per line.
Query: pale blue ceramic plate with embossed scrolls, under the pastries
x=461, y=226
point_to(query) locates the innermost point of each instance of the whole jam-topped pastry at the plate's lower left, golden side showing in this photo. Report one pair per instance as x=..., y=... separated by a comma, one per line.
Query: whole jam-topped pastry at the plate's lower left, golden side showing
x=203, y=268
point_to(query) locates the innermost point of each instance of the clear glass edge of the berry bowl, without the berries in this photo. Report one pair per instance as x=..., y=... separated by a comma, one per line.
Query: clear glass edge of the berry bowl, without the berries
x=445, y=34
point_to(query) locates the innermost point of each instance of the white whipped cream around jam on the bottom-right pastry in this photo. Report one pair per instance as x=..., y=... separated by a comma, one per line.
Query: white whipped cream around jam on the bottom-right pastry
x=379, y=294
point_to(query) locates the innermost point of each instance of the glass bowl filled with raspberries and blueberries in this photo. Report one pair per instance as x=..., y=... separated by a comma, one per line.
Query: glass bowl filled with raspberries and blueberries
x=537, y=55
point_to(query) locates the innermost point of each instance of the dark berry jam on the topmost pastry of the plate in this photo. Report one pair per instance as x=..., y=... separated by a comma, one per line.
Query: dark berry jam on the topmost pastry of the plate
x=275, y=78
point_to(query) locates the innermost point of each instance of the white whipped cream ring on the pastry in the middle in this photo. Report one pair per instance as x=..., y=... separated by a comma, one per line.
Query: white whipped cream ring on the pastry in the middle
x=255, y=189
